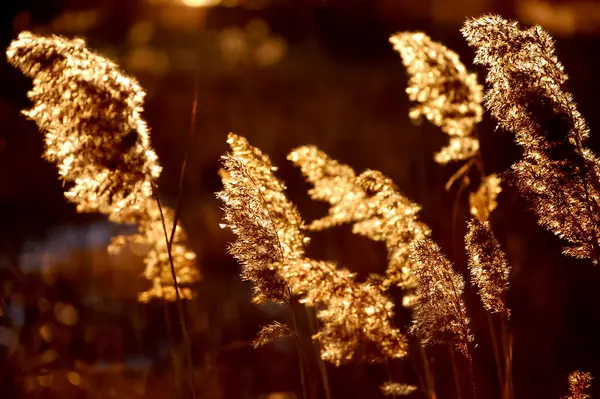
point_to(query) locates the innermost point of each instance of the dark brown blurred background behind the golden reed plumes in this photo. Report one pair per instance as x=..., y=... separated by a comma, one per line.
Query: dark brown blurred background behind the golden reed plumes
x=283, y=73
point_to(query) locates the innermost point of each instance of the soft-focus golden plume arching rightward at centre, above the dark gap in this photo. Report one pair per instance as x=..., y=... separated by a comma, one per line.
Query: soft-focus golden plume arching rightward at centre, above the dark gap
x=370, y=201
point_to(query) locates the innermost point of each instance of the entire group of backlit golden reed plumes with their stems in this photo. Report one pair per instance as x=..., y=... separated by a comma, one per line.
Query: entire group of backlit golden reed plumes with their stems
x=90, y=113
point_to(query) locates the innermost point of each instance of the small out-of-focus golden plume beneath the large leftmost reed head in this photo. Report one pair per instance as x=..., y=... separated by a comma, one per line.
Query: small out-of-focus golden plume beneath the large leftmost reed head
x=158, y=268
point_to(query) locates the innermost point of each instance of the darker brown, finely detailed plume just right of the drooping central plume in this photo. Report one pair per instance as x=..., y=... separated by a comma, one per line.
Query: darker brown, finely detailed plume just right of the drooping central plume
x=439, y=312
